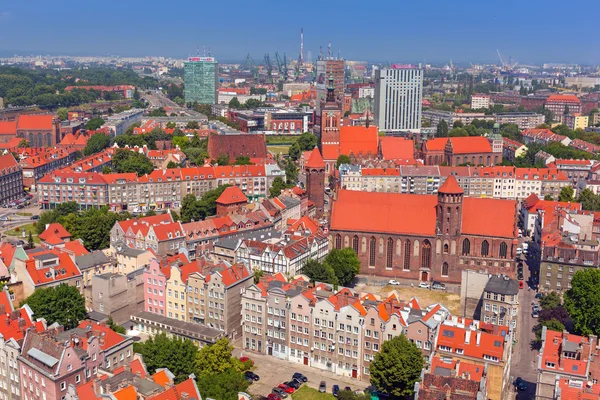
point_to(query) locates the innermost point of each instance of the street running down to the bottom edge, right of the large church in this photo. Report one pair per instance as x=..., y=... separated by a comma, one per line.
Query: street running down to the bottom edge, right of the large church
x=524, y=361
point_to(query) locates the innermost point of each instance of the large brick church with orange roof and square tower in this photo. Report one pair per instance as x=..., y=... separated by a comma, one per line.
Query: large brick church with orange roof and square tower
x=426, y=237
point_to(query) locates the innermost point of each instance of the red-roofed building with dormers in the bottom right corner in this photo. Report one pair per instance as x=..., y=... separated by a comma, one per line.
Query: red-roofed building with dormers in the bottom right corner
x=568, y=357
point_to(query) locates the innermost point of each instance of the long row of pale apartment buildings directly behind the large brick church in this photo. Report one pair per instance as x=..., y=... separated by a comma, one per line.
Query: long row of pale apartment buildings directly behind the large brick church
x=492, y=182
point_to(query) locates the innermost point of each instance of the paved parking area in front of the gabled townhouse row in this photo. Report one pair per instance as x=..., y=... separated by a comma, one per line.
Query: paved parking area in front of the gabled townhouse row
x=273, y=371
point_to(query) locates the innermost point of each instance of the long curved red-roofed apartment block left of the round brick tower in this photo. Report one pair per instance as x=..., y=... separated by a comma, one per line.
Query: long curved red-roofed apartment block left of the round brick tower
x=161, y=189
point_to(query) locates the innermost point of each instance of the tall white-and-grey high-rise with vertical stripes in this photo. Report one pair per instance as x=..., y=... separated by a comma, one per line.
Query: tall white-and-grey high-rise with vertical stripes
x=398, y=95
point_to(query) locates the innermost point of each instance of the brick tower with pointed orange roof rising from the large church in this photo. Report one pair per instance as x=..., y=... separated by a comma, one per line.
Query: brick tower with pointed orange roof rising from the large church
x=449, y=210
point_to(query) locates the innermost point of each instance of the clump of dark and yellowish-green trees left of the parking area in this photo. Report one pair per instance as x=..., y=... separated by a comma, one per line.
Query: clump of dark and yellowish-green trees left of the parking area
x=218, y=373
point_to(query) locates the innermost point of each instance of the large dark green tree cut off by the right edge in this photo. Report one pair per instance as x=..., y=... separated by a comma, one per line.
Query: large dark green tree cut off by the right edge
x=582, y=301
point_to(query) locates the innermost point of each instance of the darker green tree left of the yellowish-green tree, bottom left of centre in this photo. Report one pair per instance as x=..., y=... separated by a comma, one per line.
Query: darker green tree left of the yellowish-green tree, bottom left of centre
x=179, y=356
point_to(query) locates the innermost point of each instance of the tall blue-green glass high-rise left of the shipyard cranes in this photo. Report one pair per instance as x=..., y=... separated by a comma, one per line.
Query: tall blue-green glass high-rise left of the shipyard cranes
x=200, y=77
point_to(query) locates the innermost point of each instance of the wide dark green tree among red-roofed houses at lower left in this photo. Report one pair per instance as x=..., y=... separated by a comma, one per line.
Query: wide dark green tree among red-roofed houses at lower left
x=63, y=304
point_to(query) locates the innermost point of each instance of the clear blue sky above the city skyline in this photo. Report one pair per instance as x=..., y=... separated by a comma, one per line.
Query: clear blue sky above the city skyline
x=531, y=31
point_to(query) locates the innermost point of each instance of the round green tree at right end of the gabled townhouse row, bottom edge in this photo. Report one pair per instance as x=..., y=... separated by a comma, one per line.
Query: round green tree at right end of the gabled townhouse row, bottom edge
x=397, y=367
